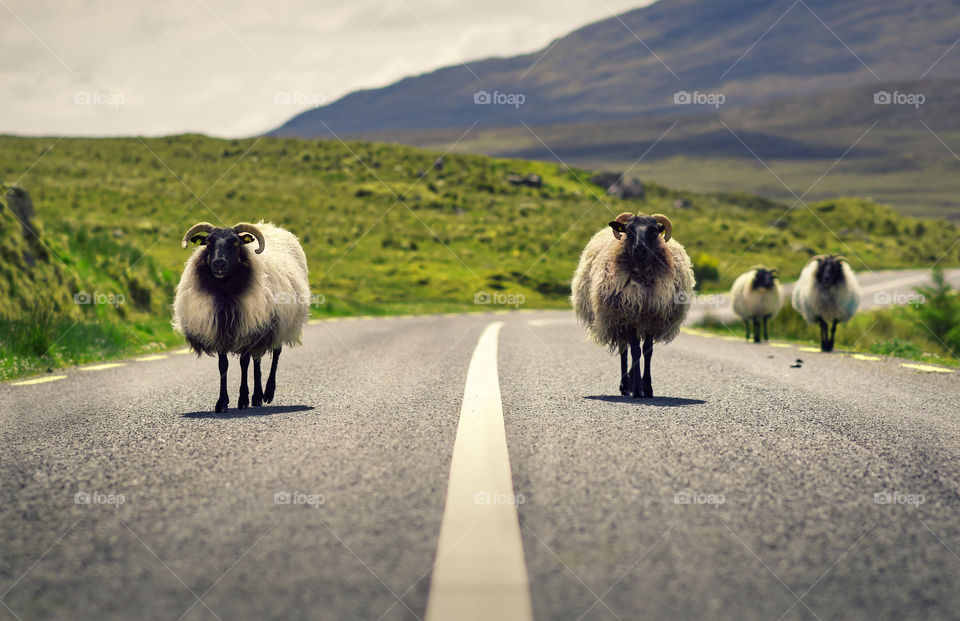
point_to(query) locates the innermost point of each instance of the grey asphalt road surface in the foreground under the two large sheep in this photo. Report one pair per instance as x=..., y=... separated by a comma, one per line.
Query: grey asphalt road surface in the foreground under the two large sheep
x=748, y=489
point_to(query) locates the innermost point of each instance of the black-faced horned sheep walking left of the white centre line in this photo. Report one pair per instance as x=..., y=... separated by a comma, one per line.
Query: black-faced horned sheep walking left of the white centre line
x=231, y=300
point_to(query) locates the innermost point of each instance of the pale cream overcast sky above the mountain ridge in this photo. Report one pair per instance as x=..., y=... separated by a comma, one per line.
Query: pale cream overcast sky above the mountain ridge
x=233, y=68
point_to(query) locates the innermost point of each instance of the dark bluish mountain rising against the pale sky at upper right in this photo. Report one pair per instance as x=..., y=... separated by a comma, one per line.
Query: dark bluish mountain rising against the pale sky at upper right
x=633, y=65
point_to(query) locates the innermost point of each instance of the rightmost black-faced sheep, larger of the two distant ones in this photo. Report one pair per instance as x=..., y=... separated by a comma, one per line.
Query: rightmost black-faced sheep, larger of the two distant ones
x=827, y=292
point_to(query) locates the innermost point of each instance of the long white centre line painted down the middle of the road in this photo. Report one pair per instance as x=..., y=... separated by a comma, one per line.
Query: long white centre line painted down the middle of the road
x=480, y=573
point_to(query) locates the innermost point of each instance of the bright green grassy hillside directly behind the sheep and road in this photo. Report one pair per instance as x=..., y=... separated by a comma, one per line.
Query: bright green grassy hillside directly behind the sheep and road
x=384, y=230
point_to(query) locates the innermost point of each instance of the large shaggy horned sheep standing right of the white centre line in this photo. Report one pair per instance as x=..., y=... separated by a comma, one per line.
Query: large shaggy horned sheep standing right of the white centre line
x=636, y=283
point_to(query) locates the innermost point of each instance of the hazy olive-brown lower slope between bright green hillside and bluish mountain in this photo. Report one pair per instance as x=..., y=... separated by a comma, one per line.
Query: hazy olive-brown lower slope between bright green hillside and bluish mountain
x=898, y=159
